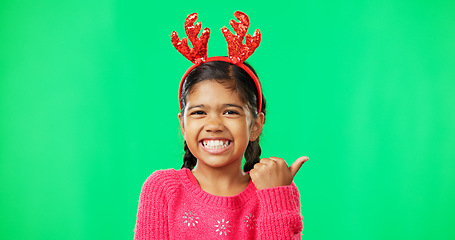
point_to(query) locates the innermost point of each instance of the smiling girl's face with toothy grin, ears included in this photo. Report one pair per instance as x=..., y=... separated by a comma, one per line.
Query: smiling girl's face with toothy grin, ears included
x=217, y=126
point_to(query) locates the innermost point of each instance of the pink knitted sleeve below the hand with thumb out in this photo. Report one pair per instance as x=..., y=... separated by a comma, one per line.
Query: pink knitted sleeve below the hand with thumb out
x=279, y=216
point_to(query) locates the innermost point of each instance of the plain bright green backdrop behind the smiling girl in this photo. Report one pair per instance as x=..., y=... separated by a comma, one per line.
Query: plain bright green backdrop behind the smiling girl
x=88, y=110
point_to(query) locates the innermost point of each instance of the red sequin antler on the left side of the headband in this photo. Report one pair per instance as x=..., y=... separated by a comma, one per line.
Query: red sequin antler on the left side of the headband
x=199, y=51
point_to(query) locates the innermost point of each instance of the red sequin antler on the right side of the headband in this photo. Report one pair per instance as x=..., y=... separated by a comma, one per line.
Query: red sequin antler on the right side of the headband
x=238, y=52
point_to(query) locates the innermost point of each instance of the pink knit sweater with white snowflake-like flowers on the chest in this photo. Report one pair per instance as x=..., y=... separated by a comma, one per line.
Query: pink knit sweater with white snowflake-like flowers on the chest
x=173, y=206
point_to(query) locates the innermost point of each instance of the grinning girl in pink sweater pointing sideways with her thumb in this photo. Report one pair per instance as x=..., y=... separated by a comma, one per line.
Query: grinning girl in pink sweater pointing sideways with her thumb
x=212, y=196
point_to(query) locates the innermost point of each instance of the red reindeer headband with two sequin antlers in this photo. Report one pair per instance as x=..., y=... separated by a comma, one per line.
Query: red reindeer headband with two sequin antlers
x=238, y=52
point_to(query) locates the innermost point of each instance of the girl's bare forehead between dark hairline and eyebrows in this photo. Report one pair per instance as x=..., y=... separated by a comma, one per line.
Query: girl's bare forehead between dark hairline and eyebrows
x=211, y=90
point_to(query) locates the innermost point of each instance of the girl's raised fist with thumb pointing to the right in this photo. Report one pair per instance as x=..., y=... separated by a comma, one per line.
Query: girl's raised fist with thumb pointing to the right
x=274, y=172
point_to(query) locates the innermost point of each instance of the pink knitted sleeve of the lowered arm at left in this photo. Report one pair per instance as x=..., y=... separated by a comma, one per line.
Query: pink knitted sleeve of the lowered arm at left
x=152, y=217
